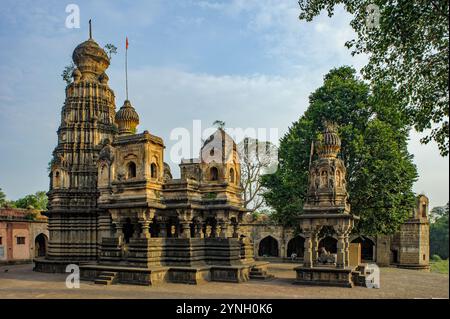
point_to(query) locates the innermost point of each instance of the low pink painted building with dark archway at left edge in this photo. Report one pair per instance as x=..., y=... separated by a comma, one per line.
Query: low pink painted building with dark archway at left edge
x=23, y=235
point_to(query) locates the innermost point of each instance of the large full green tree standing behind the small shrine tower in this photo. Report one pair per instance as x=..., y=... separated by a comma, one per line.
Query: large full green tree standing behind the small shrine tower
x=380, y=172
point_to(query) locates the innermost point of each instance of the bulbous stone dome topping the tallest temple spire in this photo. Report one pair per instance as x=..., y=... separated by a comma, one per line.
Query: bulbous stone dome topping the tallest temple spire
x=90, y=59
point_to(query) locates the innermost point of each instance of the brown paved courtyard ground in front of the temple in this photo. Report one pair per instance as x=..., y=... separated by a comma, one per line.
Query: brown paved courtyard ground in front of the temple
x=21, y=282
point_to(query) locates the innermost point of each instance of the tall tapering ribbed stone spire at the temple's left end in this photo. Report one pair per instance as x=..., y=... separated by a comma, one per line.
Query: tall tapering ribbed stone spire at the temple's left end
x=87, y=119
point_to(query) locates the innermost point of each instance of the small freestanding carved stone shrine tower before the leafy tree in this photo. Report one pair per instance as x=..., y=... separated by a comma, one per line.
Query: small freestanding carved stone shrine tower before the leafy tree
x=326, y=206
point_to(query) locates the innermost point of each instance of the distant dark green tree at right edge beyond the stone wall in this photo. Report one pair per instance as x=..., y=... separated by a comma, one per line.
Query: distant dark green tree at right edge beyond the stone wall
x=439, y=235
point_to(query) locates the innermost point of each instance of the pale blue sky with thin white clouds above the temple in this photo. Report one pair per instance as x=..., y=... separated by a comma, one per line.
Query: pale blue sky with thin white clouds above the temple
x=249, y=63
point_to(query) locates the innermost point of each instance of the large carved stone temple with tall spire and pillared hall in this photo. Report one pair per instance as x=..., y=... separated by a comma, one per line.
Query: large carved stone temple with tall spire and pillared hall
x=114, y=208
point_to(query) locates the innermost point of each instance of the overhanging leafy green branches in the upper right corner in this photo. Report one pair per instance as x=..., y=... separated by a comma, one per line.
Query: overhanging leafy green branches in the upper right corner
x=407, y=42
